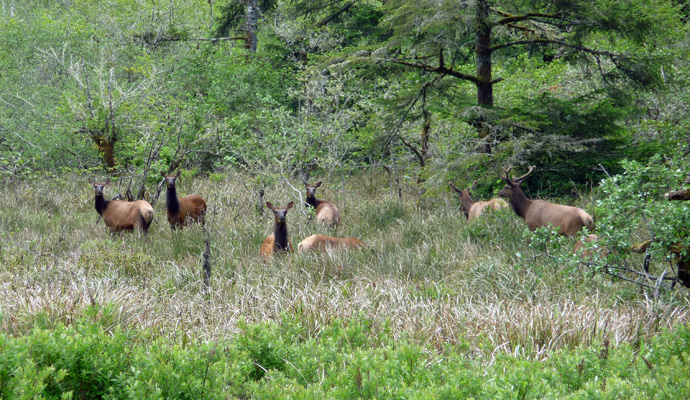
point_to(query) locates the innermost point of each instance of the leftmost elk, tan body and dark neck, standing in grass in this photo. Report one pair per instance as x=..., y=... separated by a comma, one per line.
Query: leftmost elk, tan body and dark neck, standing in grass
x=120, y=215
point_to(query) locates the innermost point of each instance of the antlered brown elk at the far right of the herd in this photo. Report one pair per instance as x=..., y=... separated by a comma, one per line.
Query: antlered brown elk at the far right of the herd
x=537, y=213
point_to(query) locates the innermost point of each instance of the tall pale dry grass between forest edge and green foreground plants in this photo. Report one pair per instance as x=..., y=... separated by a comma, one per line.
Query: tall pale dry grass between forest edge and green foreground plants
x=430, y=276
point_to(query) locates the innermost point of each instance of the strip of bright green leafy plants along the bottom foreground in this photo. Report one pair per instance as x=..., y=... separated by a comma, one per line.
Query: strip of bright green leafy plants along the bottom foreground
x=277, y=360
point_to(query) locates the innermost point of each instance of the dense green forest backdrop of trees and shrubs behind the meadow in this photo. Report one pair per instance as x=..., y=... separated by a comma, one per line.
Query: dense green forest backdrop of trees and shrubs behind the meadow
x=138, y=87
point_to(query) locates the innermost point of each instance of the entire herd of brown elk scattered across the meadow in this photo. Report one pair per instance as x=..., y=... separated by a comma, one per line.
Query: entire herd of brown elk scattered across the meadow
x=120, y=215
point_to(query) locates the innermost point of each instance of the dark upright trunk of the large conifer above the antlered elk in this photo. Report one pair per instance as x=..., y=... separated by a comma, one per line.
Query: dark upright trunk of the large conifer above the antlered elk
x=482, y=48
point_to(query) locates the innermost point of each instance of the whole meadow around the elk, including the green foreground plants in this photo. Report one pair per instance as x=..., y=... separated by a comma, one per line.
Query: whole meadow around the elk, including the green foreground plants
x=467, y=302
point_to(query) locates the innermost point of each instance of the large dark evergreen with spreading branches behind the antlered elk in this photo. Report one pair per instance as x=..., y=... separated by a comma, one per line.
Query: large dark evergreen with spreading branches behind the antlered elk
x=607, y=49
